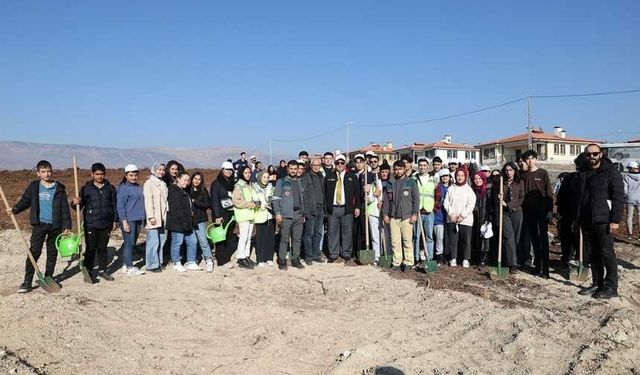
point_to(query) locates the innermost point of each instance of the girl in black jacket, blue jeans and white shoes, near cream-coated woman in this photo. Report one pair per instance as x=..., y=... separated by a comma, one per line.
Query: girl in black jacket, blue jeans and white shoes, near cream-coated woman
x=181, y=224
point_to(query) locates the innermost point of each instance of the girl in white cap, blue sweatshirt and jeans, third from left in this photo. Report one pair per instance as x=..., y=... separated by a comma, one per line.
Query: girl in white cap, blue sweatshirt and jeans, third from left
x=131, y=215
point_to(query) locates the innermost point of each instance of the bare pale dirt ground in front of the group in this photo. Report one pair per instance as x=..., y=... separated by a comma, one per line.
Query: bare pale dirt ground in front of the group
x=325, y=319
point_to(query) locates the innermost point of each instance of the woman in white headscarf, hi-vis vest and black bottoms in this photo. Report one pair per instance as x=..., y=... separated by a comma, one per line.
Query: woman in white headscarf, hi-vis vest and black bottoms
x=264, y=222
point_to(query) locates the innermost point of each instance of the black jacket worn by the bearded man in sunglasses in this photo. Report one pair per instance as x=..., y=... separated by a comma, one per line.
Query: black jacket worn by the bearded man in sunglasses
x=598, y=188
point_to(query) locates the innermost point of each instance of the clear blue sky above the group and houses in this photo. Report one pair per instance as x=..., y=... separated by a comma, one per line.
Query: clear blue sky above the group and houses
x=210, y=73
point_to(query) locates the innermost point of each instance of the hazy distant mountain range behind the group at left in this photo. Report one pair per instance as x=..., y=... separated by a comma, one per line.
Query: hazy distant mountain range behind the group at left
x=23, y=155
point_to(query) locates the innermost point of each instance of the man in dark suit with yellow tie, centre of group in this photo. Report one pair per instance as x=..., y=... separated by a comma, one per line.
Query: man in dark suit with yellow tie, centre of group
x=342, y=200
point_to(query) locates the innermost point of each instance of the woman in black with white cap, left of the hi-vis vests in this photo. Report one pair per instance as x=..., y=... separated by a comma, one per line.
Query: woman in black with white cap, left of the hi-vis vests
x=222, y=211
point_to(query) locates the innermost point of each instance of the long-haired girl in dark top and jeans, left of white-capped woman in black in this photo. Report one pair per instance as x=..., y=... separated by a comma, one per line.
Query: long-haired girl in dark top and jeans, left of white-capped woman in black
x=201, y=203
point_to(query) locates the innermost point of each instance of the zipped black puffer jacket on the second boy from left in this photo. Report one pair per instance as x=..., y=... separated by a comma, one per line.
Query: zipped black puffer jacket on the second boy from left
x=99, y=205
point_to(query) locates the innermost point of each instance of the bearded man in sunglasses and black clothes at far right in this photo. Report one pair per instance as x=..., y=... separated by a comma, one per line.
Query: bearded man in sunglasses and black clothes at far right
x=600, y=205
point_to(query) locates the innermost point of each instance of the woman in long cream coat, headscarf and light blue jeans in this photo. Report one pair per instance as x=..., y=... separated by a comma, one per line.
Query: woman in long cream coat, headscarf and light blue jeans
x=155, y=206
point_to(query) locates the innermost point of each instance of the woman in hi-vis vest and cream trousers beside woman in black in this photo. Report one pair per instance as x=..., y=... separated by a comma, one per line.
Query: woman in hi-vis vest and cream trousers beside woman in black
x=244, y=206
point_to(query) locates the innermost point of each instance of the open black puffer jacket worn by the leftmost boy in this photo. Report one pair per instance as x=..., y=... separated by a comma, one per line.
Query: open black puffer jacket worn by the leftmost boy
x=31, y=199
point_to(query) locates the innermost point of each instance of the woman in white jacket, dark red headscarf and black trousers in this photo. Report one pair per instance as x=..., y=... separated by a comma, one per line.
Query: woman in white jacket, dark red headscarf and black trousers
x=459, y=204
